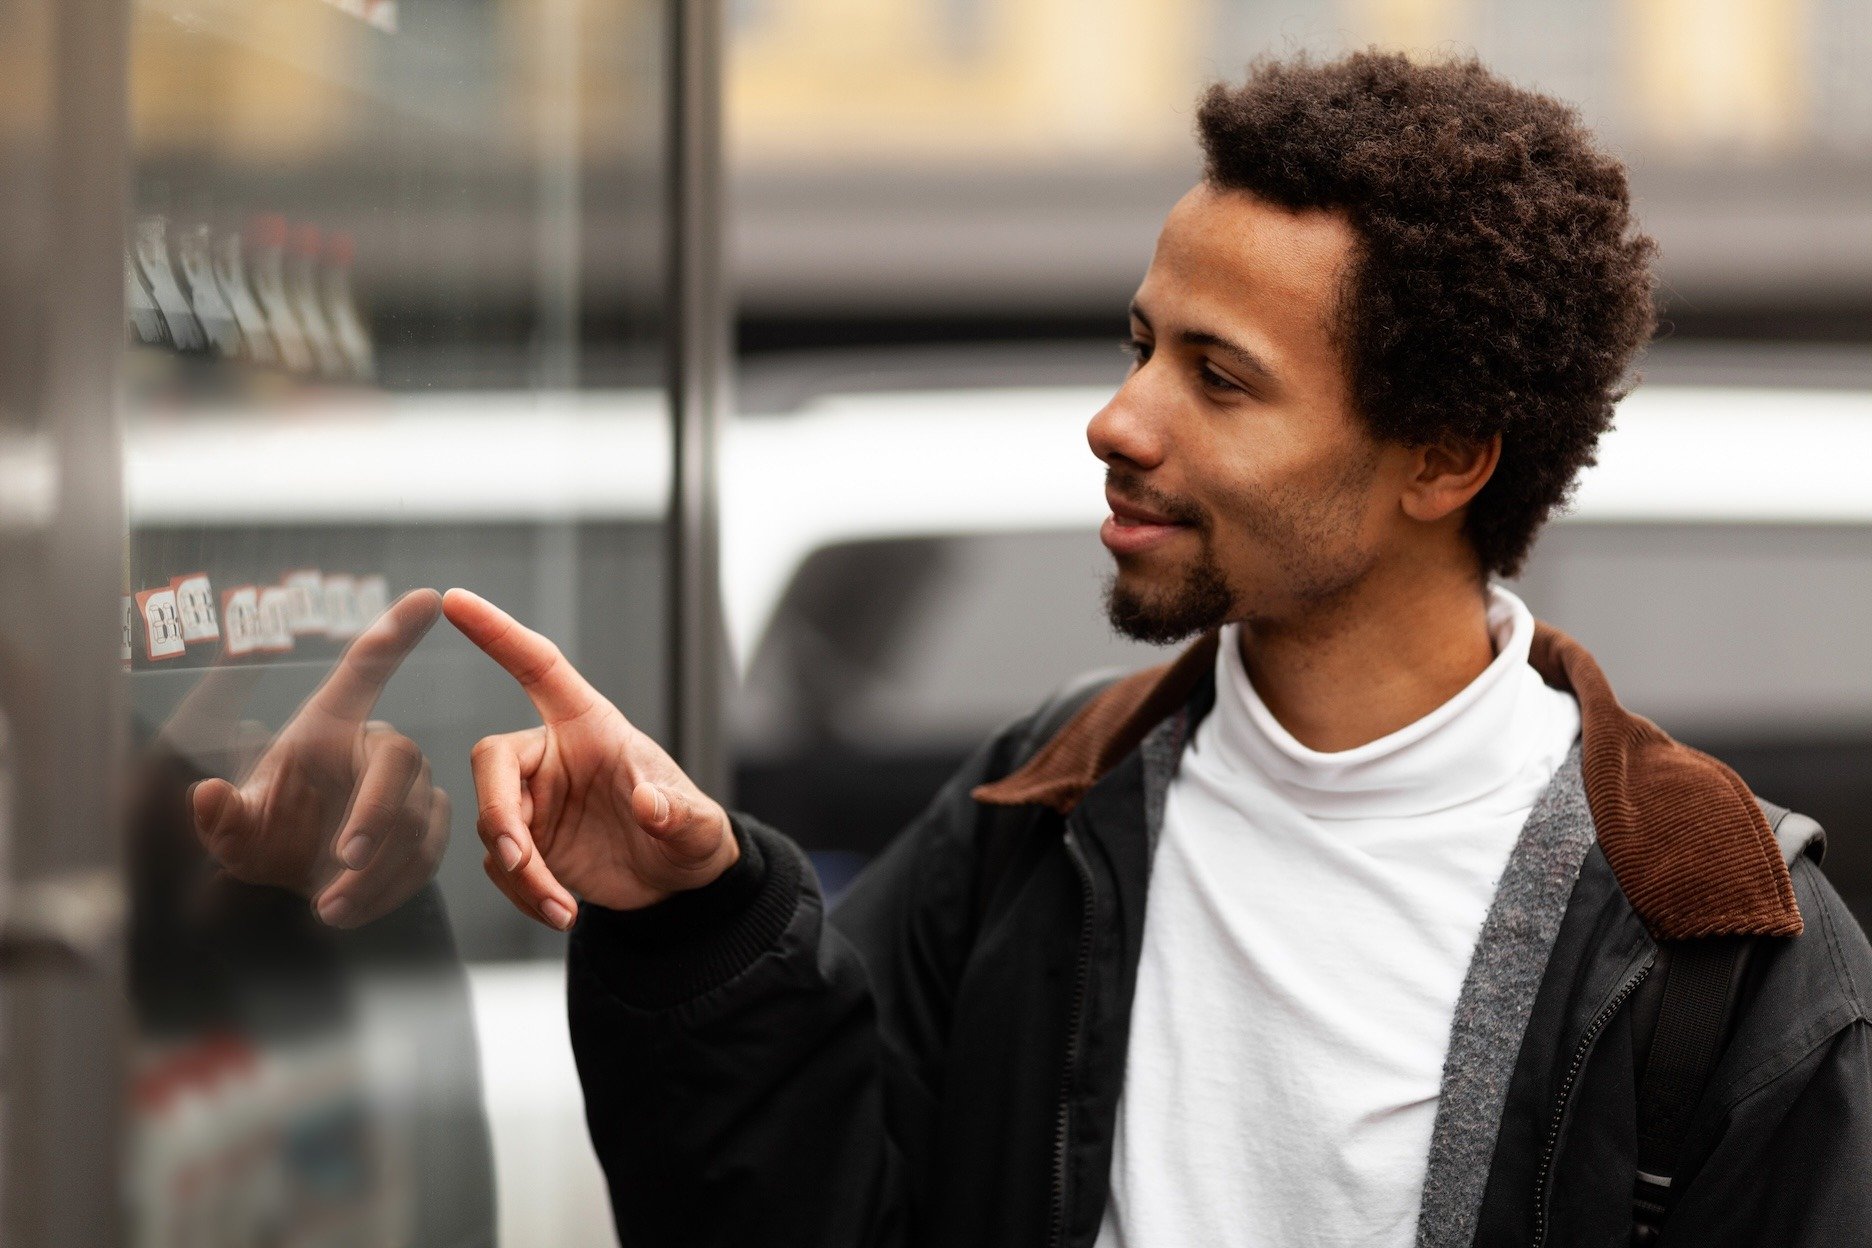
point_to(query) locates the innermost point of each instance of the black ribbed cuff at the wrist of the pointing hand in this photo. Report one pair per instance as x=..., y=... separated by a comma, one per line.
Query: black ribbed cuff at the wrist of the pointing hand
x=695, y=942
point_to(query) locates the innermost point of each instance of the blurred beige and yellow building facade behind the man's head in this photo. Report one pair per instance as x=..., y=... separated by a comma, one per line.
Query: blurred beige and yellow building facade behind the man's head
x=1006, y=162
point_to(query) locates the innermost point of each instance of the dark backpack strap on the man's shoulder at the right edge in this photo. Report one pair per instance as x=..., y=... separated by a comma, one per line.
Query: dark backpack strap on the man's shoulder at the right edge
x=1682, y=1021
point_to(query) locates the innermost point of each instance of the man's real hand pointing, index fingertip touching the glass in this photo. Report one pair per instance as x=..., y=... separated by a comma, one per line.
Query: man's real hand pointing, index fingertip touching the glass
x=587, y=804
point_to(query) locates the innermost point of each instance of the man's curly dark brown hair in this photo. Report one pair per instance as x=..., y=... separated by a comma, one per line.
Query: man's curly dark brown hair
x=1500, y=283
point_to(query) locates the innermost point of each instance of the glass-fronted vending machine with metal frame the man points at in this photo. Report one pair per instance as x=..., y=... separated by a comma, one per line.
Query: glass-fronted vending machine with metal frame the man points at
x=312, y=310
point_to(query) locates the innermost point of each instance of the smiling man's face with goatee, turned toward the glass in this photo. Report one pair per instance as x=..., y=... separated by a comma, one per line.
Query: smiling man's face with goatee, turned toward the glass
x=1242, y=482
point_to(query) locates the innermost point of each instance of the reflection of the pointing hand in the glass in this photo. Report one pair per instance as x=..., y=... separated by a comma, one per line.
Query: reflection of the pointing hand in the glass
x=338, y=807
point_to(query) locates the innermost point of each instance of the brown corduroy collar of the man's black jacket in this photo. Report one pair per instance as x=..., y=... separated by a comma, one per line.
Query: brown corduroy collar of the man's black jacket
x=1684, y=835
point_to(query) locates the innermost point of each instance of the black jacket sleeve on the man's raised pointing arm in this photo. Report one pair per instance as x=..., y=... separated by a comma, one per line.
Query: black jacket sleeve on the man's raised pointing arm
x=757, y=1073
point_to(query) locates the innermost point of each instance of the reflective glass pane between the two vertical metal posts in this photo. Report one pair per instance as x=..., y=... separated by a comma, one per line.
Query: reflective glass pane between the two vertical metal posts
x=394, y=325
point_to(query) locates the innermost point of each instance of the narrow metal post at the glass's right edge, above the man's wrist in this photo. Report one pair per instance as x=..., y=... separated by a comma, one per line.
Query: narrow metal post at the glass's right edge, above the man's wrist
x=697, y=379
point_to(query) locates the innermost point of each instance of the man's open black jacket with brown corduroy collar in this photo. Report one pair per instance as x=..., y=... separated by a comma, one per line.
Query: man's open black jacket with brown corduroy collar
x=941, y=1060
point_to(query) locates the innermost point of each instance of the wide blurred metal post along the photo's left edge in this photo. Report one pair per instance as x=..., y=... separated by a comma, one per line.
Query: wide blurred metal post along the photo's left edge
x=63, y=1011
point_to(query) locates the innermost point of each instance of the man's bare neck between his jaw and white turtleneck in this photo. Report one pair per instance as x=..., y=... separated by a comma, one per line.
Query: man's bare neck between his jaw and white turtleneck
x=1375, y=660
